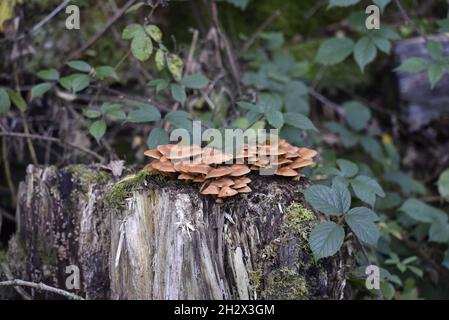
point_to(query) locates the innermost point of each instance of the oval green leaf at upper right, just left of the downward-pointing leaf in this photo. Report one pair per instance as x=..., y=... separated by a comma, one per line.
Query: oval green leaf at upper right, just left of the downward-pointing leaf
x=334, y=51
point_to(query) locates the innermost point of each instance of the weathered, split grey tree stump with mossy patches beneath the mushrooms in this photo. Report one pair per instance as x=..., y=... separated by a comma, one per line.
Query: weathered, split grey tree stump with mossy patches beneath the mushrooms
x=152, y=238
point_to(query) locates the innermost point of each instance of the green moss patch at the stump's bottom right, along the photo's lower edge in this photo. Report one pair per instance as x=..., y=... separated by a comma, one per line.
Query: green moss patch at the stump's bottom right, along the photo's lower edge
x=286, y=284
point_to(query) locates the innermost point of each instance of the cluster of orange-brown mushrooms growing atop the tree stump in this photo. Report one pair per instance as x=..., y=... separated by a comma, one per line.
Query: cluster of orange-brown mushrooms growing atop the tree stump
x=225, y=175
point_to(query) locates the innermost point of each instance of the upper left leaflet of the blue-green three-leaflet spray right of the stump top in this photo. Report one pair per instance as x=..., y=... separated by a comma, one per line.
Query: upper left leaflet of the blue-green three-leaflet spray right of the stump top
x=328, y=200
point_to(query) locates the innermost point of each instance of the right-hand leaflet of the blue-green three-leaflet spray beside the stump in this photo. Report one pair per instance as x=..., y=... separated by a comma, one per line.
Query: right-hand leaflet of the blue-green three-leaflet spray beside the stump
x=361, y=221
